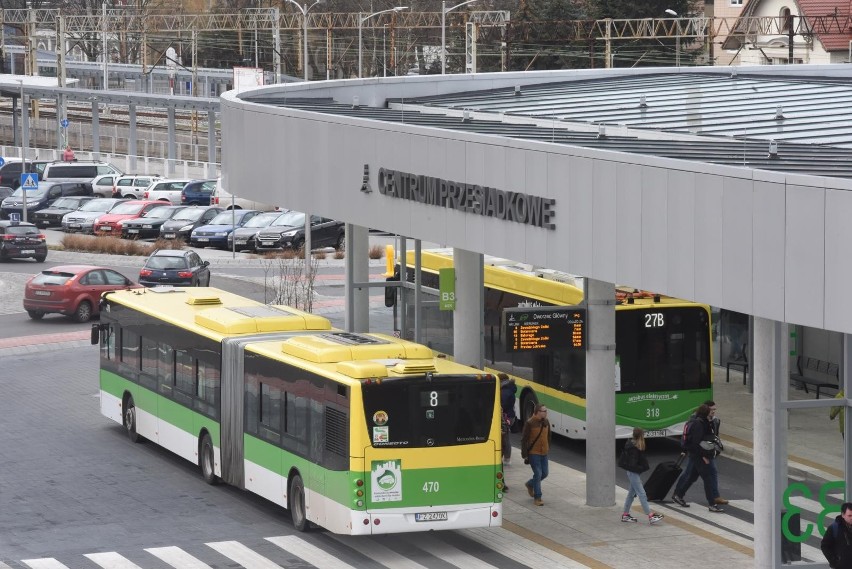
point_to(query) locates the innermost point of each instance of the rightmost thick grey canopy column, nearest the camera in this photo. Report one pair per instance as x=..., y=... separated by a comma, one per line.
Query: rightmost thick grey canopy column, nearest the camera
x=770, y=439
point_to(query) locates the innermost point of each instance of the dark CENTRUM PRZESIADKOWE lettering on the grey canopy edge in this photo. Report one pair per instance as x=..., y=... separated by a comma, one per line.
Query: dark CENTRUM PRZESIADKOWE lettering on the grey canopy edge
x=472, y=198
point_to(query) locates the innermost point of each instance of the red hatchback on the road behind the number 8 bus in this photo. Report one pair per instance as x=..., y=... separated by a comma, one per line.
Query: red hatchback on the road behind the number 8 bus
x=72, y=290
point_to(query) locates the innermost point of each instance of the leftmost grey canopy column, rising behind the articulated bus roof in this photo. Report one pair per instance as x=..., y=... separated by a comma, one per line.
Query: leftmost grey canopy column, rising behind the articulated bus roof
x=357, y=271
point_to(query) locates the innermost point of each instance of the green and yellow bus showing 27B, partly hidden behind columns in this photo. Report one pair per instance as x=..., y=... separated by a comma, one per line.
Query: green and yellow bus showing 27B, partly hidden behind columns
x=663, y=356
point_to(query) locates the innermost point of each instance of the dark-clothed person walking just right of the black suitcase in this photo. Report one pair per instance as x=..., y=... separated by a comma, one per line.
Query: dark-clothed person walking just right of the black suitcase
x=701, y=447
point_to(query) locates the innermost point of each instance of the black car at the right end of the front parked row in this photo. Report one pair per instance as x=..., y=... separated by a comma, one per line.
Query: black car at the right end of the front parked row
x=289, y=233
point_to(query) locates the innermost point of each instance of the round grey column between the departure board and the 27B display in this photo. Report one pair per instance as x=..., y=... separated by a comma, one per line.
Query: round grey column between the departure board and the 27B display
x=600, y=393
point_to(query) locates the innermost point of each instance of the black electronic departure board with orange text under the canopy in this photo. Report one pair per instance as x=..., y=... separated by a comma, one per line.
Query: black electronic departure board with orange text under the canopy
x=544, y=328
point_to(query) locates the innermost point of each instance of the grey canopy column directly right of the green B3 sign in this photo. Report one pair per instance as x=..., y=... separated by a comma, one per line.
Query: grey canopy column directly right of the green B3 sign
x=468, y=343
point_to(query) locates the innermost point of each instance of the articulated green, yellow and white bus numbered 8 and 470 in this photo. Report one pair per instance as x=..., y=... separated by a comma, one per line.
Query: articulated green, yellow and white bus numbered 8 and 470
x=357, y=433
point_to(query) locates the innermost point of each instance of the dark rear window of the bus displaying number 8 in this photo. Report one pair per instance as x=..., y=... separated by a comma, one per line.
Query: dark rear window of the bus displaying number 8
x=429, y=411
